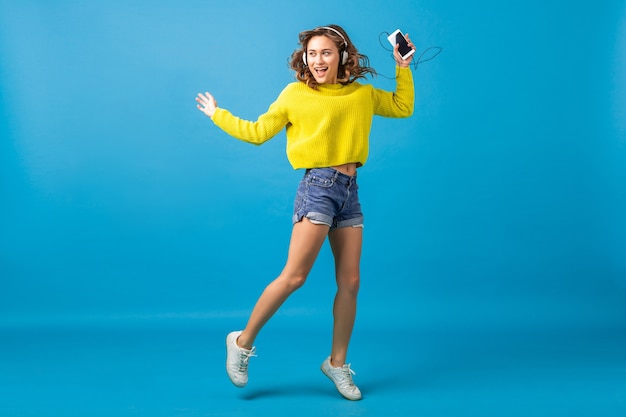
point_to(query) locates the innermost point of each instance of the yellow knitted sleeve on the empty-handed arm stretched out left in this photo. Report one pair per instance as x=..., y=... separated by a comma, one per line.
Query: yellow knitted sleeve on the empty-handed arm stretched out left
x=256, y=132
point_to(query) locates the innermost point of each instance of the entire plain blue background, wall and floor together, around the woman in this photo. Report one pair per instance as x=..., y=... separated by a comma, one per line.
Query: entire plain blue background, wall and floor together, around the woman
x=133, y=232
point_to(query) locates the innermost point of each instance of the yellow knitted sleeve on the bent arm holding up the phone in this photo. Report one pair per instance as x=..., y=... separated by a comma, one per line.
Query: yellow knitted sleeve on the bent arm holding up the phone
x=399, y=103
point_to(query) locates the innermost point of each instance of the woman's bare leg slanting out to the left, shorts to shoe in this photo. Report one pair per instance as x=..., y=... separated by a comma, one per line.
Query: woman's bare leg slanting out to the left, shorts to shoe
x=306, y=241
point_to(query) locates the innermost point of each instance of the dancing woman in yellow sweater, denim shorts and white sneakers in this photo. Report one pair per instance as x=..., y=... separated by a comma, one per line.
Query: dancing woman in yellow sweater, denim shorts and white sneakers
x=328, y=116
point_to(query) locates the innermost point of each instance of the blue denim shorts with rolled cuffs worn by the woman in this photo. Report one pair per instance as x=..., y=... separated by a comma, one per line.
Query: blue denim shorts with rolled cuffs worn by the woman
x=327, y=196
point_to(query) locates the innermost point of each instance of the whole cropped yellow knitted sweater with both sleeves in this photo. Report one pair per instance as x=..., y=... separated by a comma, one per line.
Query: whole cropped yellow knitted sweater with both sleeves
x=325, y=127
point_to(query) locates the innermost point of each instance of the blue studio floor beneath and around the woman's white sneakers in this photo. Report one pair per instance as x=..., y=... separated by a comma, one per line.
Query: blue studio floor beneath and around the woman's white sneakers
x=176, y=368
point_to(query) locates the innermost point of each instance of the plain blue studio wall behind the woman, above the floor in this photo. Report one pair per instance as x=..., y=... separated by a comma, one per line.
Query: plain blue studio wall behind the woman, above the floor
x=500, y=200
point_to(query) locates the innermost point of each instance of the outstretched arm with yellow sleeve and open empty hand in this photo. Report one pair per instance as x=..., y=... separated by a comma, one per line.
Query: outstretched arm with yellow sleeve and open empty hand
x=258, y=132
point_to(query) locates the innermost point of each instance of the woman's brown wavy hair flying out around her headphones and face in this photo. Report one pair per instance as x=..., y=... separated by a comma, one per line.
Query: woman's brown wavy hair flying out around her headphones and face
x=357, y=65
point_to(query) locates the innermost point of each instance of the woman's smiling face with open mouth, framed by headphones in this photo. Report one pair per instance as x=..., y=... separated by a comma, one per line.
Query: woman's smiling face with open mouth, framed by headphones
x=323, y=59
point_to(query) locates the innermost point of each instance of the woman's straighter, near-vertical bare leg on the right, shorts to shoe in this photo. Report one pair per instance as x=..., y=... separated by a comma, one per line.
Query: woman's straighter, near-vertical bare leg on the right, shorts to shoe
x=346, y=245
